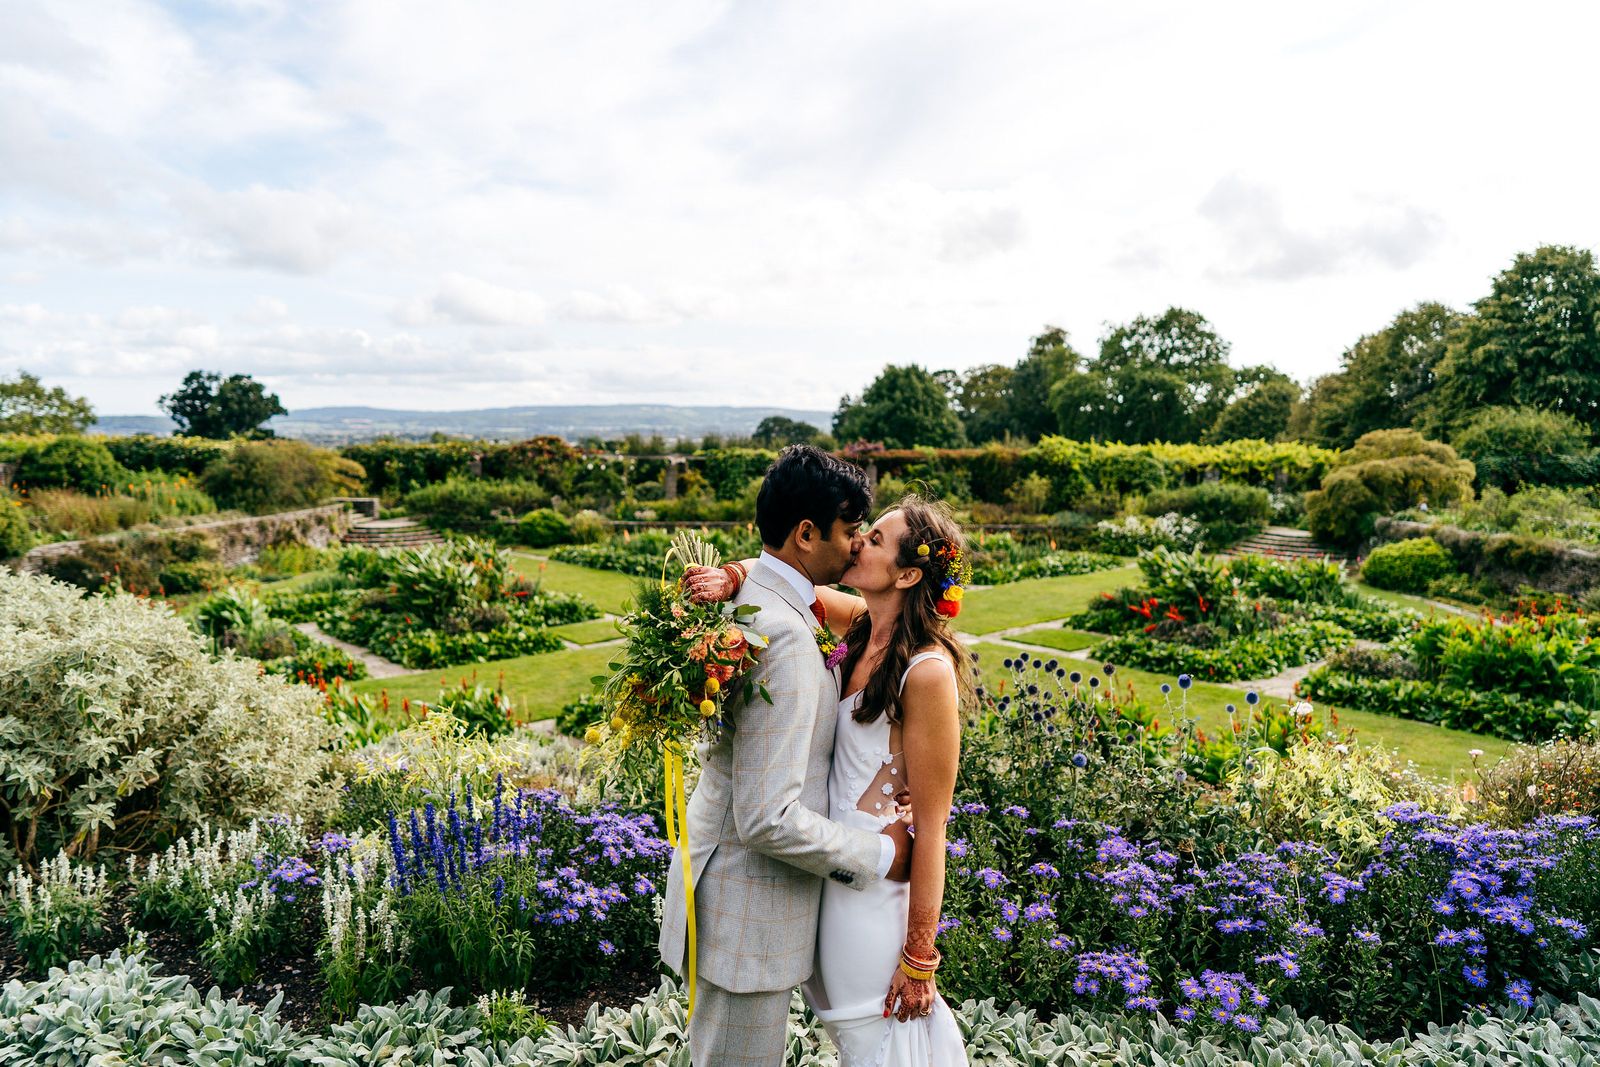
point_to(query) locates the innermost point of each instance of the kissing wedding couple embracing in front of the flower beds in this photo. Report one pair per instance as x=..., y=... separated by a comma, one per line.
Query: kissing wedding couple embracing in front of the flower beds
x=799, y=828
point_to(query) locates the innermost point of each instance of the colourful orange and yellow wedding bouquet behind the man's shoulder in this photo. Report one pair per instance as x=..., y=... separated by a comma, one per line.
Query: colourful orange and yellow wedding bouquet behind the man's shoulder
x=679, y=663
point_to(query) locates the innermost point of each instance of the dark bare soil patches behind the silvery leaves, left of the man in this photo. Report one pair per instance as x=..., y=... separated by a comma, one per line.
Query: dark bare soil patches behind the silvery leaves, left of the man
x=292, y=975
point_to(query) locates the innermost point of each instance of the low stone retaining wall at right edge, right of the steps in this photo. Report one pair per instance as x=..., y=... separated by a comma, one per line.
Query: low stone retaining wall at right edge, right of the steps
x=1511, y=561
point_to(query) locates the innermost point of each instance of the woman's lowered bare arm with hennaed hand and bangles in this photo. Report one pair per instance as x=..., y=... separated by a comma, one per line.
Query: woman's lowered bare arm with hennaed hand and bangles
x=932, y=732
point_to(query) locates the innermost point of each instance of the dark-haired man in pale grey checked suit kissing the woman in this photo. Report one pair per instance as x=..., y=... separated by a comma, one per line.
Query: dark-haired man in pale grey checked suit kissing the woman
x=759, y=842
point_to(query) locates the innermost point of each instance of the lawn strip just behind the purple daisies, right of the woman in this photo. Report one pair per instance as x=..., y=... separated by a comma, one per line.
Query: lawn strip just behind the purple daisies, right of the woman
x=1434, y=749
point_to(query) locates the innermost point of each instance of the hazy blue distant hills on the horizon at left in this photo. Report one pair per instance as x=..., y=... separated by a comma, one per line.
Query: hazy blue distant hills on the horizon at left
x=342, y=426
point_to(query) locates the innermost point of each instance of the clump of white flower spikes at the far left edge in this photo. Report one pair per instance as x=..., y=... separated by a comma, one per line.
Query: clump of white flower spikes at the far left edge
x=52, y=913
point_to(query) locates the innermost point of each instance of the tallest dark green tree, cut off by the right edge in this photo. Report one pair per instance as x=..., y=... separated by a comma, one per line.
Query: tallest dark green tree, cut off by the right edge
x=1535, y=342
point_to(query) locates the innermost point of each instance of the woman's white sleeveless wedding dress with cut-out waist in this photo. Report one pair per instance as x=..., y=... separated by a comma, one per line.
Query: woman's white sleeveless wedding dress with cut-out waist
x=862, y=932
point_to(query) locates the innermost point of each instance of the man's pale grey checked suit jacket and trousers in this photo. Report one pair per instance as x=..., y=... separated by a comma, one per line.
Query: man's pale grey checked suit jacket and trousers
x=759, y=842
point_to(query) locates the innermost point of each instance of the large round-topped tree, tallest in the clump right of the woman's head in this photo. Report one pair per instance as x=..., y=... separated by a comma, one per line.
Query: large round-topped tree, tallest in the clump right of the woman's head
x=1164, y=378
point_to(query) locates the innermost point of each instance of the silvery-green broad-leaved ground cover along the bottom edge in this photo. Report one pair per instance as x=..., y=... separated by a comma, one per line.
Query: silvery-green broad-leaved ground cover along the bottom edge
x=124, y=1010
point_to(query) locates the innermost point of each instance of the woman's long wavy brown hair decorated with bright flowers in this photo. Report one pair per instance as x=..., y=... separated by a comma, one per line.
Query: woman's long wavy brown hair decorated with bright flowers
x=919, y=625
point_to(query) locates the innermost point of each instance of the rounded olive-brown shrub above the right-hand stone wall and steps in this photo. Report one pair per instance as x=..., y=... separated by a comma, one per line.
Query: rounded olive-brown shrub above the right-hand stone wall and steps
x=1383, y=473
